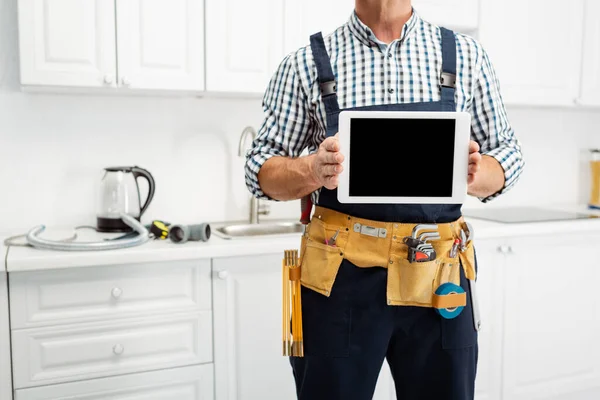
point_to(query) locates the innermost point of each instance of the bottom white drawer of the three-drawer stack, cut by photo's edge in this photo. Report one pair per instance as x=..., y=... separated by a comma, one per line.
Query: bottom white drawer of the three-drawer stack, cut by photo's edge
x=189, y=383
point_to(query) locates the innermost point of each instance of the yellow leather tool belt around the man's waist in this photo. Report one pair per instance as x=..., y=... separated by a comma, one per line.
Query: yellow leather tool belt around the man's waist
x=381, y=244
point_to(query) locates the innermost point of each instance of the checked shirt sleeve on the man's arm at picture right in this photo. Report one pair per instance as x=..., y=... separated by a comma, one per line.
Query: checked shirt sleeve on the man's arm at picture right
x=491, y=128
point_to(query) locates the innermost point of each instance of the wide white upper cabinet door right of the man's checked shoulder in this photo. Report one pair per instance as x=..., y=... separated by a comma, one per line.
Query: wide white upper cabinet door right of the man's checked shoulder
x=537, y=56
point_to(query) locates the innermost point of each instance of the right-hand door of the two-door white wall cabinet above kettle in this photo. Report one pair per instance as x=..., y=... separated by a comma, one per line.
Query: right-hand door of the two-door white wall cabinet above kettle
x=161, y=44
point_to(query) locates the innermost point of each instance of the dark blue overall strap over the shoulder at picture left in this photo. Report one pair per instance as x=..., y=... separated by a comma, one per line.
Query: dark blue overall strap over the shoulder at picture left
x=326, y=82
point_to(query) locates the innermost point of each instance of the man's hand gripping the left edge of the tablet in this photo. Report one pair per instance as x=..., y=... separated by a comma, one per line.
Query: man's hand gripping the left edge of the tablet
x=326, y=166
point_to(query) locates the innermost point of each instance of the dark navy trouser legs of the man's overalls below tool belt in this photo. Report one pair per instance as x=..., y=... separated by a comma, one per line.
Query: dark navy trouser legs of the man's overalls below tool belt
x=348, y=336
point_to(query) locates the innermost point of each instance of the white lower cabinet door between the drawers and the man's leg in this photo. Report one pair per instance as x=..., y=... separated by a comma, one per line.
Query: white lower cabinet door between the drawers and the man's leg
x=247, y=323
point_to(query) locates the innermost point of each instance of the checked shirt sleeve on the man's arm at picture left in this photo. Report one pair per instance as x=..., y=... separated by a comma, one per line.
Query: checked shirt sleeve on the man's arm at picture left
x=286, y=127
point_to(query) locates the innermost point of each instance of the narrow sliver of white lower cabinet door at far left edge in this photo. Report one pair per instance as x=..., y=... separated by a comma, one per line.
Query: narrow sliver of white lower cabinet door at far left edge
x=5, y=370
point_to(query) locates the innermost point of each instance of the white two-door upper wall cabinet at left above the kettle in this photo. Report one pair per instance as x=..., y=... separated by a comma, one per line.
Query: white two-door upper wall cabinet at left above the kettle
x=159, y=43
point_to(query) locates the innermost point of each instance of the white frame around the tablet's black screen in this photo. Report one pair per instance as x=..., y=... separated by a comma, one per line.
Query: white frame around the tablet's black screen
x=461, y=157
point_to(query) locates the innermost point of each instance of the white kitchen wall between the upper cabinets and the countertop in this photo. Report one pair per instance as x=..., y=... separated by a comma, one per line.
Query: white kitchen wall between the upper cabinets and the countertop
x=53, y=148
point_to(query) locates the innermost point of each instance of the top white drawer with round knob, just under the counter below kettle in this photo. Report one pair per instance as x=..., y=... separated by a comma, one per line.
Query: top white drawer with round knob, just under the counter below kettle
x=104, y=293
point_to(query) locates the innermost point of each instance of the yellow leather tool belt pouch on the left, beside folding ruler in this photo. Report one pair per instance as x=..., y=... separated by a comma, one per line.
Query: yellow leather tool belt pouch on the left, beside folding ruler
x=320, y=262
